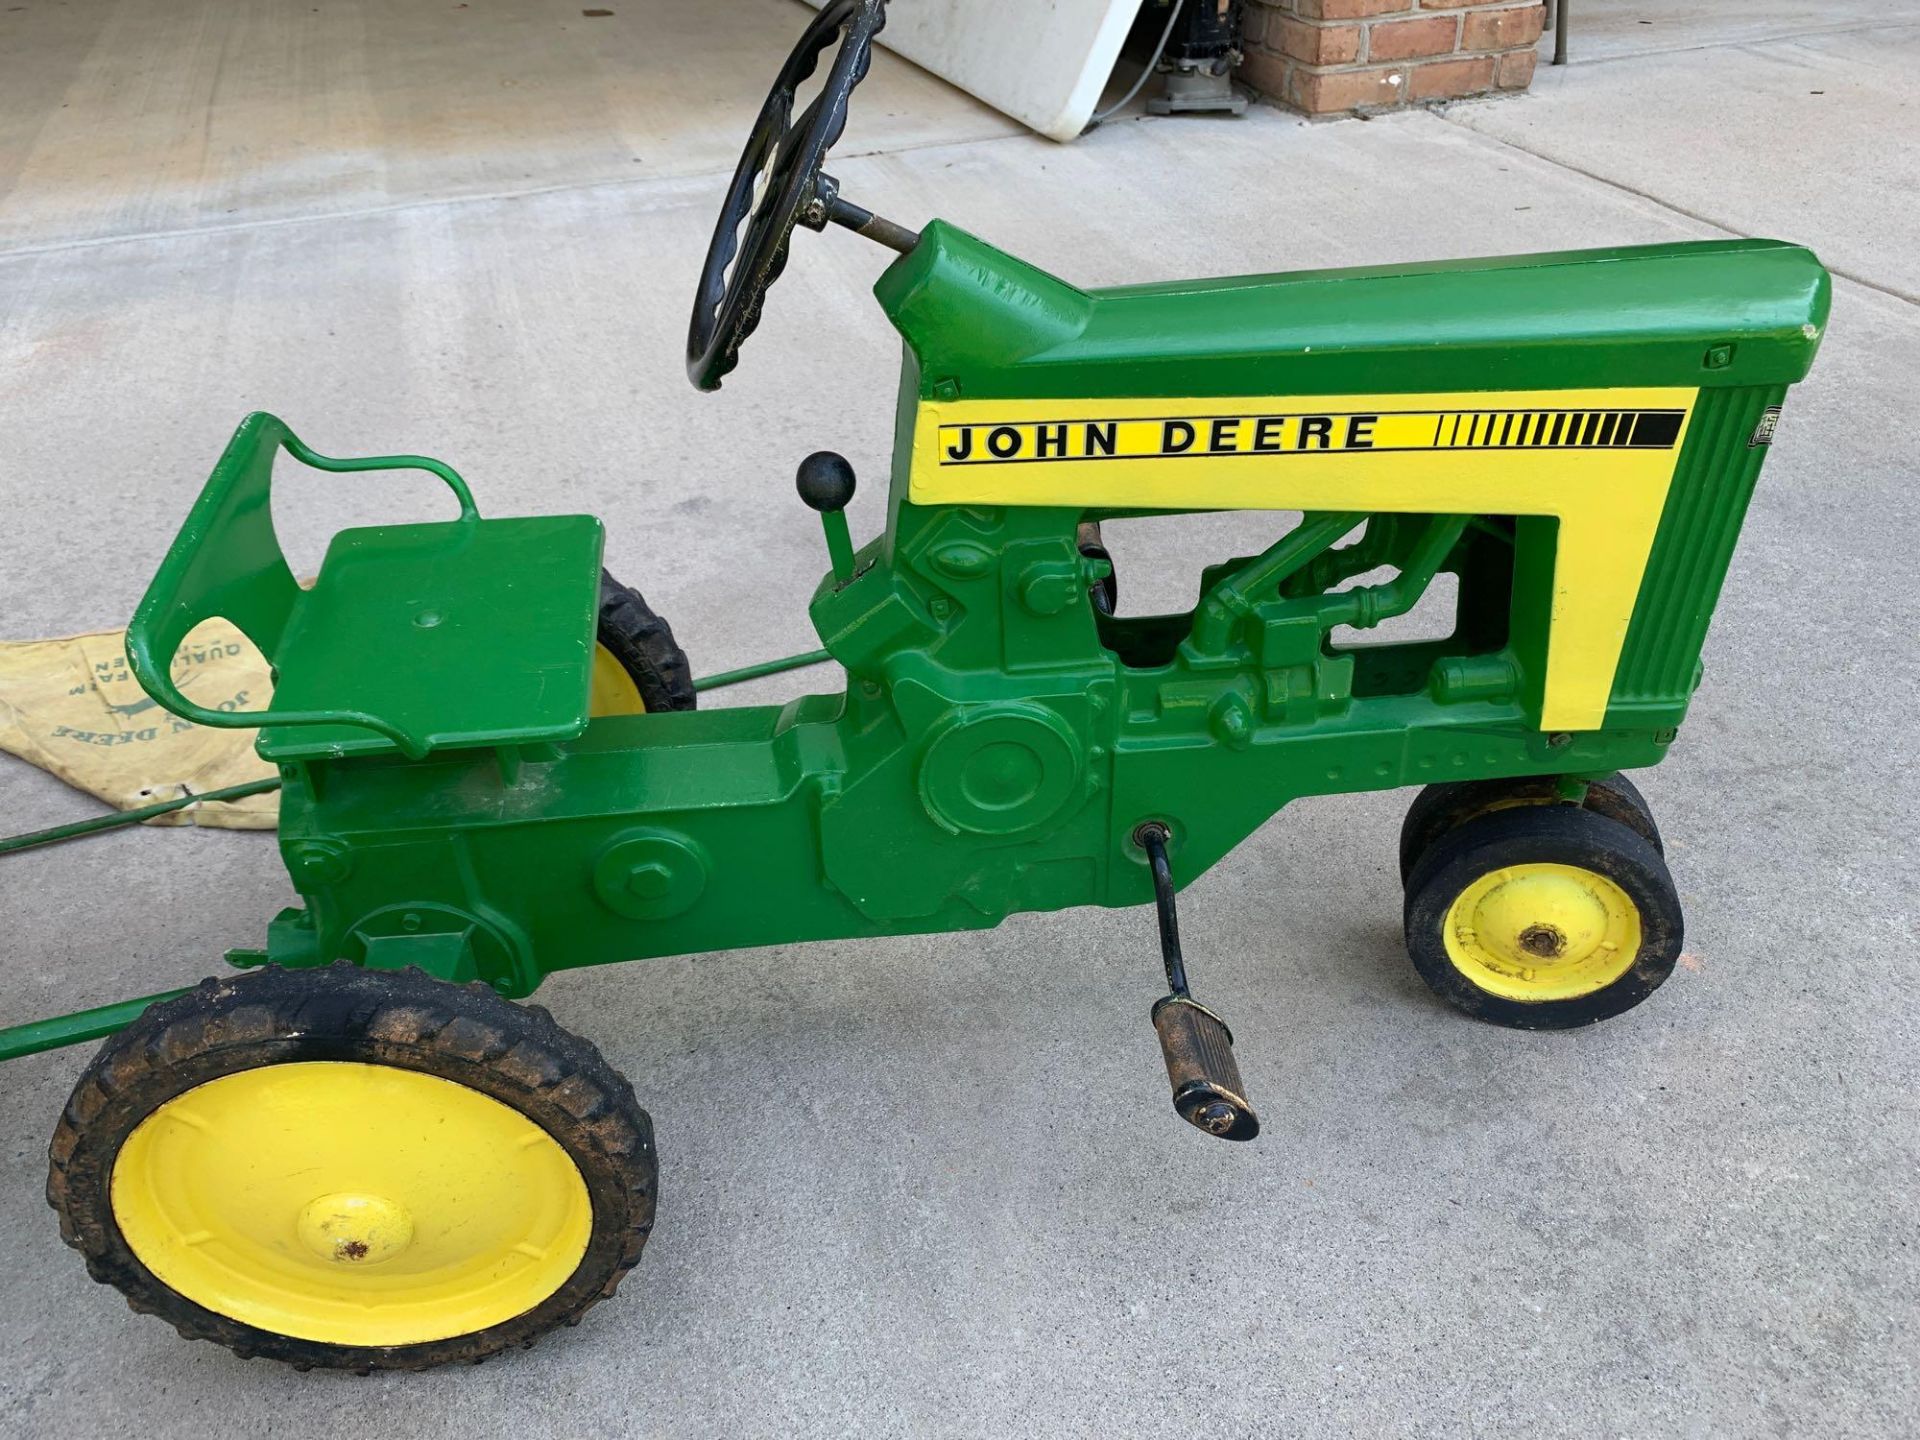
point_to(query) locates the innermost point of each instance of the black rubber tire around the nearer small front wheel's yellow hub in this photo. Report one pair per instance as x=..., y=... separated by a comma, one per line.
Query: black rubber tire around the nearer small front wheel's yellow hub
x=1550, y=834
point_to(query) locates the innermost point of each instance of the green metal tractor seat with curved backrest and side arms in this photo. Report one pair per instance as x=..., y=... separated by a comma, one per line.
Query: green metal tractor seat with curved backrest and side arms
x=416, y=638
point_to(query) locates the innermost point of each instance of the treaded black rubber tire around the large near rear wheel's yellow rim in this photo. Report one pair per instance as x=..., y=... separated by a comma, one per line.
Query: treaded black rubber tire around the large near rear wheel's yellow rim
x=468, y=1034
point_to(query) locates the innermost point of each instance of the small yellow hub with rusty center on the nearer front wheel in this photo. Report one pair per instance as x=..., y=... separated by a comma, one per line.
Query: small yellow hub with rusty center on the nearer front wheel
x=1543, y=932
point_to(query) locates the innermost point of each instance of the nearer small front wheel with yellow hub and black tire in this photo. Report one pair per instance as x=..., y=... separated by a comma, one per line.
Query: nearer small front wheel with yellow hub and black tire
x=1543, y=919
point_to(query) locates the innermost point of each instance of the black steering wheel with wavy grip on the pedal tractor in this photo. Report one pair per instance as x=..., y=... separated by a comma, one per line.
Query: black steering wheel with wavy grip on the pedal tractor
x=779, y=185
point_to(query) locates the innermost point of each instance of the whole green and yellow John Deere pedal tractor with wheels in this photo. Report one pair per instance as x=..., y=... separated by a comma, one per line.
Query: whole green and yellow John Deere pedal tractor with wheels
x=366, y=1155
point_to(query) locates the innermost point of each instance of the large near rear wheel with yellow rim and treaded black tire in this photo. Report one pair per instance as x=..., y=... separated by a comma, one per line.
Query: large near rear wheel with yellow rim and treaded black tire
x=354, y=1170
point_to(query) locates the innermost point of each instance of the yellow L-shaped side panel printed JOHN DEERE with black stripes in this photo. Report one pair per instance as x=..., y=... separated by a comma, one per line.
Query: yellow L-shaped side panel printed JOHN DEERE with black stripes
x=1598, y=460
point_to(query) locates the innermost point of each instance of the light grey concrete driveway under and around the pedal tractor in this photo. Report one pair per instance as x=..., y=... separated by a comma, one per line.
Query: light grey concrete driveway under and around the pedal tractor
x=905, y=1193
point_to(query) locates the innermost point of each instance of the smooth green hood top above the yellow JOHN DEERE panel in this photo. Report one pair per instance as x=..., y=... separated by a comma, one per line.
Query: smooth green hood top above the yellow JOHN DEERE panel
x=1706, y=314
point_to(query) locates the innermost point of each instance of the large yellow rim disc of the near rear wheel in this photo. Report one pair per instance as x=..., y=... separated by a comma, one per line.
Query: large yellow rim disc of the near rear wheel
x=352, y=1205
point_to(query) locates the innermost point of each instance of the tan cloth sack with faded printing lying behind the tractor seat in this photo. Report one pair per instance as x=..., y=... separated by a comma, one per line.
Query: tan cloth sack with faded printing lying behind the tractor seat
x=74, y=708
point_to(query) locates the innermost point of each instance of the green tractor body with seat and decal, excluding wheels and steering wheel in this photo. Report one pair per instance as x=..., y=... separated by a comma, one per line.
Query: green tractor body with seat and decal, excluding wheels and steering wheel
x=1573, y=437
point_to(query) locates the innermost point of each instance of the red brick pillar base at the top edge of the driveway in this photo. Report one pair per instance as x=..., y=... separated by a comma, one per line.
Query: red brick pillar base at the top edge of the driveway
x=1362, y=57
